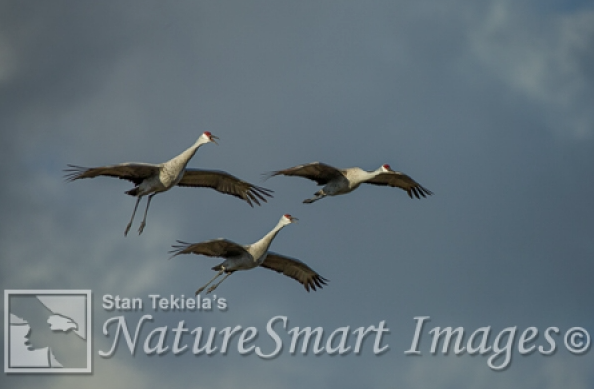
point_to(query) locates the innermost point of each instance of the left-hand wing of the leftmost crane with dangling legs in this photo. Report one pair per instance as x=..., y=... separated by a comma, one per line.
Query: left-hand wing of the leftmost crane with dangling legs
x=131, y=171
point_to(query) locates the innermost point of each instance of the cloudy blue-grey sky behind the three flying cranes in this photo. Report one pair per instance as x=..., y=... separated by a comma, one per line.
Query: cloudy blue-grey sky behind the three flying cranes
x=486, y=103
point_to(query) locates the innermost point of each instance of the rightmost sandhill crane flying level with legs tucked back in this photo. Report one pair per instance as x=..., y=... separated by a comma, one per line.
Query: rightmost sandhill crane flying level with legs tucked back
x=342, y=181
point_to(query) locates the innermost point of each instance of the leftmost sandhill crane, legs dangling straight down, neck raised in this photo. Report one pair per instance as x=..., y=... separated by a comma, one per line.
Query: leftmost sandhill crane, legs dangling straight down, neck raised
x=150, y=179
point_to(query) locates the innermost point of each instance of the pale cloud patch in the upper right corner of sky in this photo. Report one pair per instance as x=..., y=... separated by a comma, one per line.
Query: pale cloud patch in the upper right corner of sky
x=542, y=56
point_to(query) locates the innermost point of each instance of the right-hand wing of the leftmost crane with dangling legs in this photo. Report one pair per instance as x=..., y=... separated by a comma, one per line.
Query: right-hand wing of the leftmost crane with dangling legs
x=225, y=183
